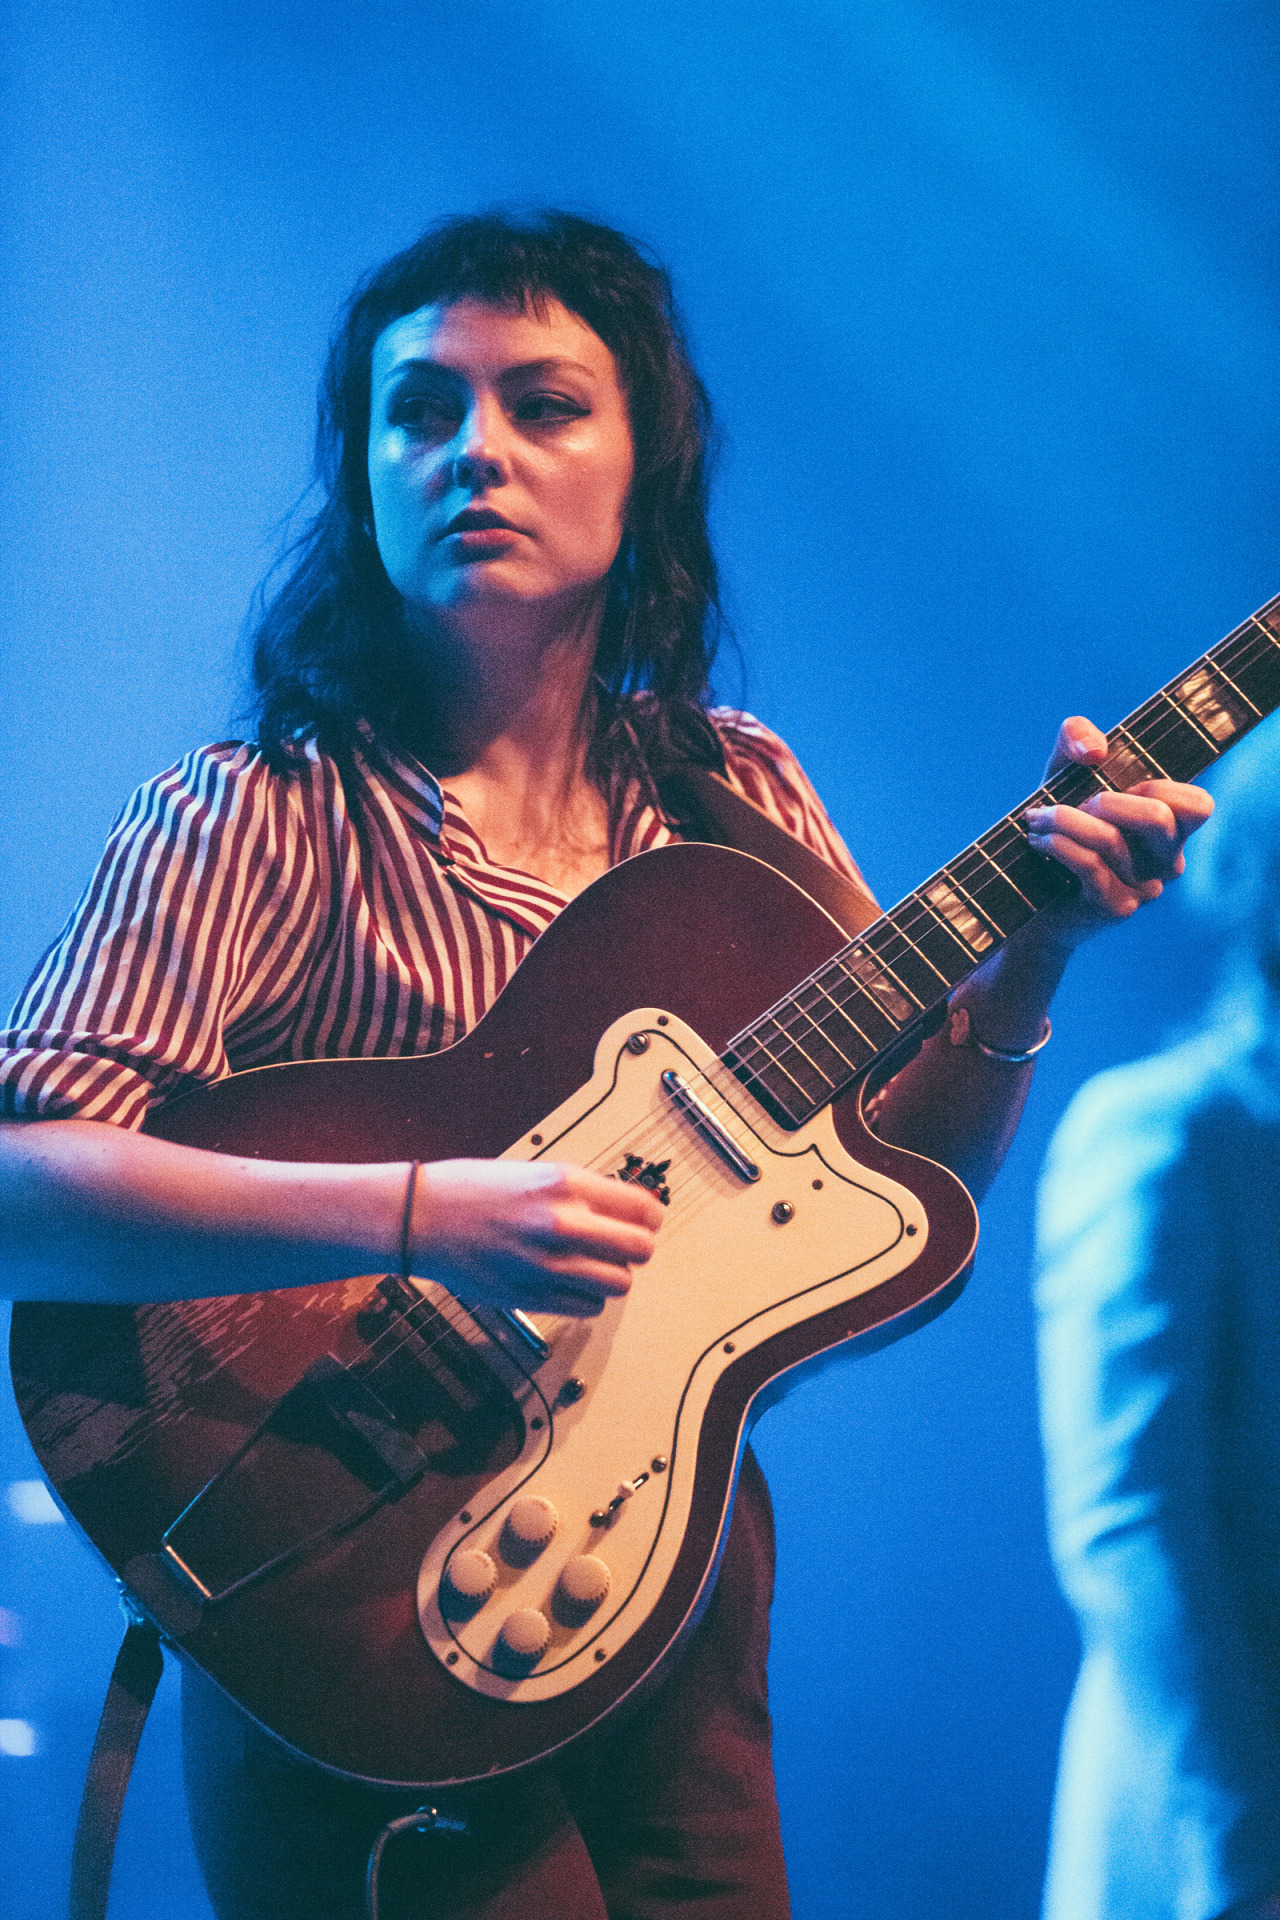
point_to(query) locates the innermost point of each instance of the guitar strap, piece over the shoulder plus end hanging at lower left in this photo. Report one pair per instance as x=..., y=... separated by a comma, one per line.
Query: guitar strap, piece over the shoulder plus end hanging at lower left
x=703, y=807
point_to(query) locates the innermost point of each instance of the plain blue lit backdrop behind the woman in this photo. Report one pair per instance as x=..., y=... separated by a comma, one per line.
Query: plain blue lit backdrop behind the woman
x=987, y=300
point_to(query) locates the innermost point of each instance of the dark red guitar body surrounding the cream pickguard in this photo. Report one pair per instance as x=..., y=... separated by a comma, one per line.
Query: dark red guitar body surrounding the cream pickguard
x=133, y=1410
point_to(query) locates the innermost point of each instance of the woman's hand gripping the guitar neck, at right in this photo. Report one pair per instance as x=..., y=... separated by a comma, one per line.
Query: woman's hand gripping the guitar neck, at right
x=1120, y=846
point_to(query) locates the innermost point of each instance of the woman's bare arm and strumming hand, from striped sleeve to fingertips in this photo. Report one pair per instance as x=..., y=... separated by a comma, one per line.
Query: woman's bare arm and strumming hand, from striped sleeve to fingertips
x=95, y=1212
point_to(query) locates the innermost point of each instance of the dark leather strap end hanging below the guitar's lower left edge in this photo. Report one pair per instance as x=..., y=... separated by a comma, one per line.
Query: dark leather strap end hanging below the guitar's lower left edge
x=131, y=1692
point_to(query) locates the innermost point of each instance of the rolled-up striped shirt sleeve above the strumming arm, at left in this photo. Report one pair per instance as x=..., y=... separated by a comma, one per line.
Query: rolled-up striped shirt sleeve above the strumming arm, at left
x=202, y=894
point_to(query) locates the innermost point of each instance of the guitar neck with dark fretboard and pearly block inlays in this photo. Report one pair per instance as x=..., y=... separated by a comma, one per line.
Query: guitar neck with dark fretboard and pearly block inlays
x=861, y=1003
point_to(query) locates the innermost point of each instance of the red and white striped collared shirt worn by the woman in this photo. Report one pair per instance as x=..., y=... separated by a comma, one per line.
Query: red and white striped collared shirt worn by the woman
x=245, y=917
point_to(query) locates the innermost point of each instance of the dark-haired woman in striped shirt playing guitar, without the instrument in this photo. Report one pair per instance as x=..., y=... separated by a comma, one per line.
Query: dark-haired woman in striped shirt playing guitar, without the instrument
x=488, y=650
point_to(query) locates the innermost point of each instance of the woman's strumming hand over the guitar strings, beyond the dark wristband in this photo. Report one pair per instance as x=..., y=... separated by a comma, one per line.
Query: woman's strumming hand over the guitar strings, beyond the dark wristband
x=536, y=1236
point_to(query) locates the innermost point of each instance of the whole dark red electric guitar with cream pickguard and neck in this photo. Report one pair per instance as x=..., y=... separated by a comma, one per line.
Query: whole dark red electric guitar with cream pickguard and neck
x=427, y=1543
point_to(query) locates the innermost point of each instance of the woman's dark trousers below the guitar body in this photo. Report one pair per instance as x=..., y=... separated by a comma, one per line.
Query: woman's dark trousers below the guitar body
x=669, y=1815
